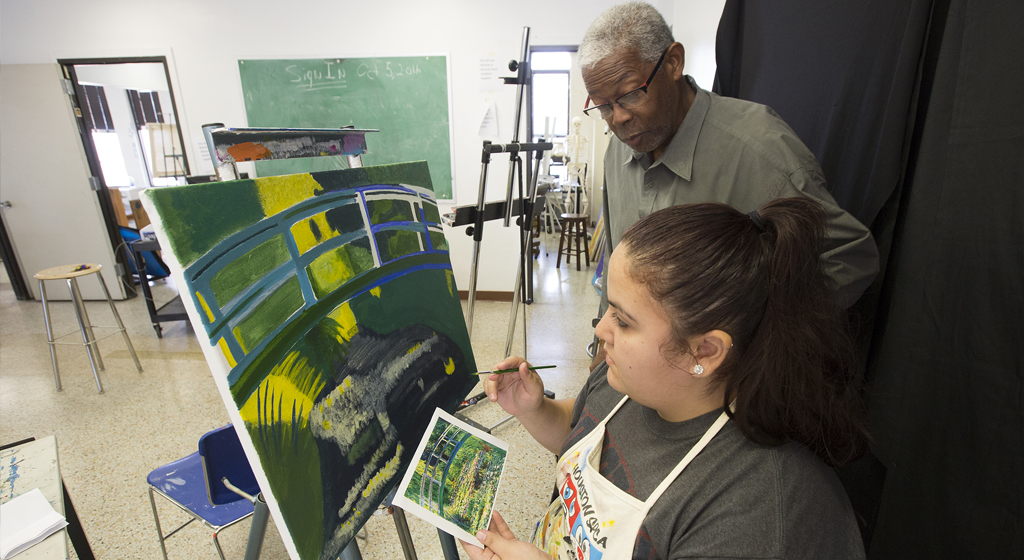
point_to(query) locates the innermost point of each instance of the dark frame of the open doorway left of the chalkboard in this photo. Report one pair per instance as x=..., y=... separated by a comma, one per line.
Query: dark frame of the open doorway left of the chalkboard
x=86, y=133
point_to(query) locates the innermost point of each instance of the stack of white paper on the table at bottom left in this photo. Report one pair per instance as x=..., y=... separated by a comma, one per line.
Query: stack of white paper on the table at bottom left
x=27, y=521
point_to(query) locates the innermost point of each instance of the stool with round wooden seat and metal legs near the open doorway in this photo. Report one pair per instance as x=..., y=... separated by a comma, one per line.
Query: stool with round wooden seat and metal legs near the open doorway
x=71, y=273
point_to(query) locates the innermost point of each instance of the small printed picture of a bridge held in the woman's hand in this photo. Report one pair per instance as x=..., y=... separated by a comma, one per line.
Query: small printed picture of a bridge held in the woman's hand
x=454, y=480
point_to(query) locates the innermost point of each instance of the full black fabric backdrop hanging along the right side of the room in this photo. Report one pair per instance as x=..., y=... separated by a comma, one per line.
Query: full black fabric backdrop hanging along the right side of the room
x=916, y=111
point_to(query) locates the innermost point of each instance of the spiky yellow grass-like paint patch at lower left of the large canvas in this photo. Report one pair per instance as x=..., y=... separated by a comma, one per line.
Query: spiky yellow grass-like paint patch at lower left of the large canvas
x=292, y=381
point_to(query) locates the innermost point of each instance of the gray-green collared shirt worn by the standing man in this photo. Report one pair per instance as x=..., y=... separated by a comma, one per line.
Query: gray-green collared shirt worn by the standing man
x=744, y=155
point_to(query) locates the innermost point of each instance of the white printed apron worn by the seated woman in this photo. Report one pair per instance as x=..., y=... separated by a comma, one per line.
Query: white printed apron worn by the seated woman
x=592, y=519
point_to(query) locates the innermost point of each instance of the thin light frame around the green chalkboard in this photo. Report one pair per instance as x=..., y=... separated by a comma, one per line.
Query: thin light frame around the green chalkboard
x=321, y=166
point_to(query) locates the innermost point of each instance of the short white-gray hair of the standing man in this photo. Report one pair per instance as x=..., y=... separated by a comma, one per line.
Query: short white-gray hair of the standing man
x=631, y=27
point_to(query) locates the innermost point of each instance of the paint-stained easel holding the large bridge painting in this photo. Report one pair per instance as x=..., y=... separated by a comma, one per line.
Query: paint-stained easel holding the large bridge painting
x=228, y=147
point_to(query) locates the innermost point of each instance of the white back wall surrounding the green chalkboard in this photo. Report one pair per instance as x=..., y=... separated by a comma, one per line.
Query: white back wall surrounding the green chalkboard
x=204, y=39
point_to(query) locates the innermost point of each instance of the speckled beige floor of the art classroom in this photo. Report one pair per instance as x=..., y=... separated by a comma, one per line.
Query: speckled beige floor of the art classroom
x=109, y=443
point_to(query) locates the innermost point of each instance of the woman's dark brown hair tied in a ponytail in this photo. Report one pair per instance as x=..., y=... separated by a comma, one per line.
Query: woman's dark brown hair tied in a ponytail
x=793, y=368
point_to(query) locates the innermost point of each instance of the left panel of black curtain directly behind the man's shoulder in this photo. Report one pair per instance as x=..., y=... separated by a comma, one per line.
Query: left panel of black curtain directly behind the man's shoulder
x=841, y=73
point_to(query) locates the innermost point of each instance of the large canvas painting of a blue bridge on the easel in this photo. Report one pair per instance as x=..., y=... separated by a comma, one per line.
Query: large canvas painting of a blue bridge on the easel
x=329, y=315
